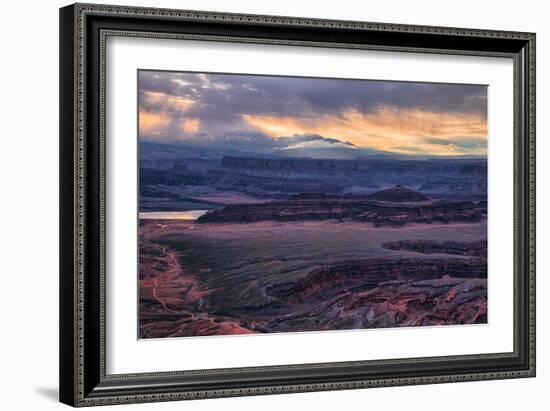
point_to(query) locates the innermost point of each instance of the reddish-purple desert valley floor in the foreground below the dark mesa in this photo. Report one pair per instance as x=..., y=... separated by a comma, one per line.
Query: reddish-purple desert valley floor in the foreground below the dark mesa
x=269, y=276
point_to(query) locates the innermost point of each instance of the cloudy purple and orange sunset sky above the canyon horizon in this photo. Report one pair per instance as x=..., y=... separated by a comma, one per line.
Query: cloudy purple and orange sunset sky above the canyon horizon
x=294, y=113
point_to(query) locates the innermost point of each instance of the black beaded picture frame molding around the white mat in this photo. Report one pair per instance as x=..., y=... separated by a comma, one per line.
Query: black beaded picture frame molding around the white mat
x=84, y=29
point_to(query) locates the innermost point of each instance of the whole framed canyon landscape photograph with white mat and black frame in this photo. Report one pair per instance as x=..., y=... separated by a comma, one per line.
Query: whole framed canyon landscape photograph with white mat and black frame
x=260, y=204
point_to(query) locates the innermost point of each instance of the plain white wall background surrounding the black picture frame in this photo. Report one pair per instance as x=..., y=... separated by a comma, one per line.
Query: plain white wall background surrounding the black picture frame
x=29, y=206
